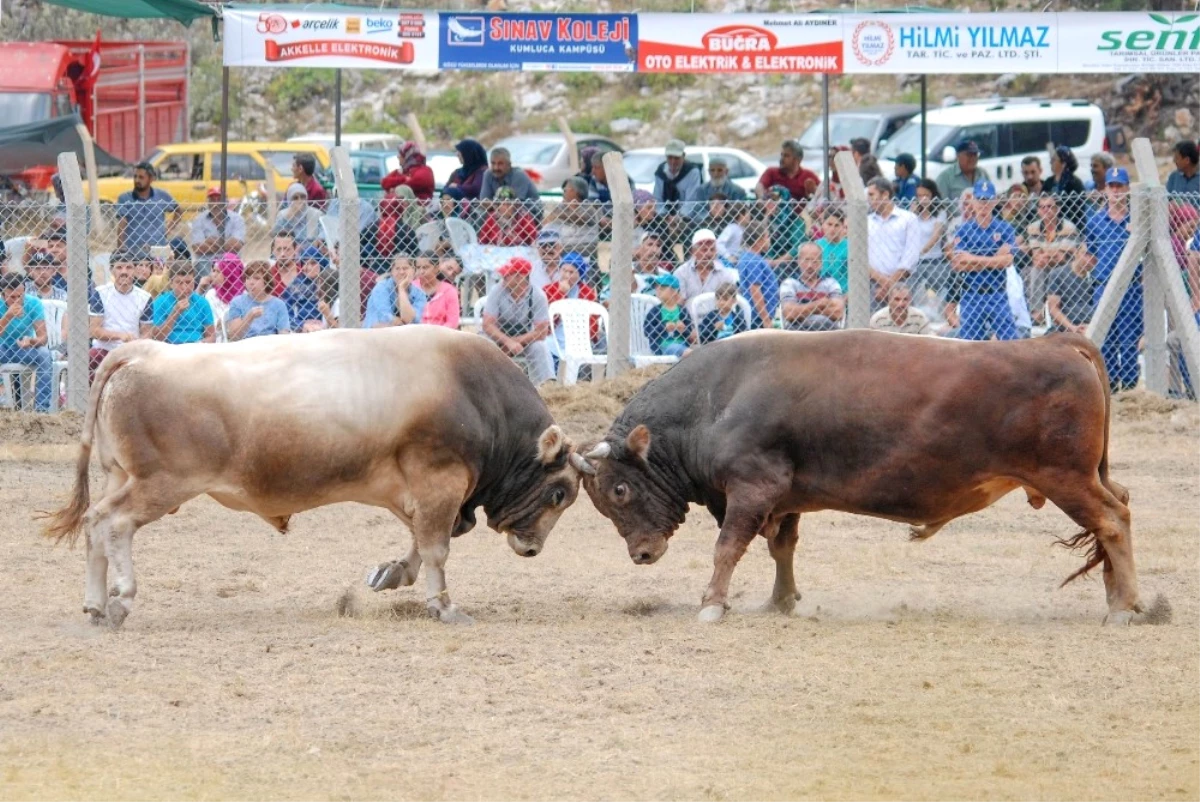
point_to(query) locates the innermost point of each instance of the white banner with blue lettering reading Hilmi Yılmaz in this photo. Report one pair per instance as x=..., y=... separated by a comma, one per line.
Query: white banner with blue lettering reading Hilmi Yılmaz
x=952, y=44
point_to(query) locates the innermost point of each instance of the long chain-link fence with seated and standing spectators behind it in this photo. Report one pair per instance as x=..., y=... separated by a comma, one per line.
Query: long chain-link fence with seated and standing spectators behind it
x=533, y=273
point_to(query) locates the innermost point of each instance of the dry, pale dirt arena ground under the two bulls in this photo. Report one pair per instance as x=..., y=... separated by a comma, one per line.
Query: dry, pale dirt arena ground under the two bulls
x=257, y=667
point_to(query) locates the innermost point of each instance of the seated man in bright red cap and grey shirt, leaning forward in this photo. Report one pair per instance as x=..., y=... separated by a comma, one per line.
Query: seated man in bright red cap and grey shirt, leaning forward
x=517, y=318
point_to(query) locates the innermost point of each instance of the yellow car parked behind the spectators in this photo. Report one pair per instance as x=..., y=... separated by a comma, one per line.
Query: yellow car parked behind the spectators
x=189, y=170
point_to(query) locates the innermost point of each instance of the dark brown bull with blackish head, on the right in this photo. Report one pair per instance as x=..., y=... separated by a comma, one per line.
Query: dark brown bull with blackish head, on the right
x=765, y=427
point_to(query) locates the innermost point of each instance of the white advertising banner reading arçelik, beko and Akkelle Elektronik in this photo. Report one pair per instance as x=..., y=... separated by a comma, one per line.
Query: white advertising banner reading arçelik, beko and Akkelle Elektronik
x=309, y=38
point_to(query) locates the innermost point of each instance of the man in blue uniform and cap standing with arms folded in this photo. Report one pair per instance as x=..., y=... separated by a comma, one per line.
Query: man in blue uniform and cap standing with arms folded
x=983, y=250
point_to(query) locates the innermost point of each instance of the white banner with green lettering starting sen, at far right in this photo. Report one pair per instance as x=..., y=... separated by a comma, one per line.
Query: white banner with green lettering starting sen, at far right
x=1130, y=43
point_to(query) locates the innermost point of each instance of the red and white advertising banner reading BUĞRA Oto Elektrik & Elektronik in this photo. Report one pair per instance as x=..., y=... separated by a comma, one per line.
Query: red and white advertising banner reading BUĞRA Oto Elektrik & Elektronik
x=796, y=44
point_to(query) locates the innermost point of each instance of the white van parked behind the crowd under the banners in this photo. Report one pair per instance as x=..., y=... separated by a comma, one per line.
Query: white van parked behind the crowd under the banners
x=1006, y=131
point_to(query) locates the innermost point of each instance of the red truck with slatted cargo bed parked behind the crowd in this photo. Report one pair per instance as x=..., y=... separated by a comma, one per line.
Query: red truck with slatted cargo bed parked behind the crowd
x=133, y=97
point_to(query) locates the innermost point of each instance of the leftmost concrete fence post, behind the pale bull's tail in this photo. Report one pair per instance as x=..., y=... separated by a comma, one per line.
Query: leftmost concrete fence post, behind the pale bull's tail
x=77, y=283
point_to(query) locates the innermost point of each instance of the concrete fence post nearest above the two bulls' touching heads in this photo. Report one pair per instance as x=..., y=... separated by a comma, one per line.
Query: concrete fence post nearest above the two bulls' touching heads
x=621, y=266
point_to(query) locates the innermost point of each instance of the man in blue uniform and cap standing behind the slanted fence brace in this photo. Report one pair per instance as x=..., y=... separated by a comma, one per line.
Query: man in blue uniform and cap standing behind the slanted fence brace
x=1107, y=234
